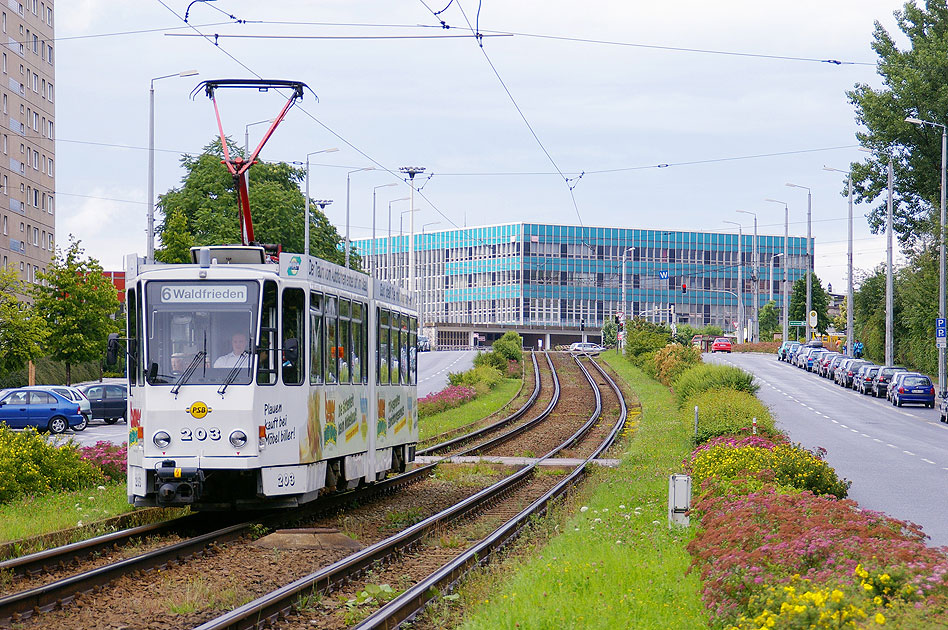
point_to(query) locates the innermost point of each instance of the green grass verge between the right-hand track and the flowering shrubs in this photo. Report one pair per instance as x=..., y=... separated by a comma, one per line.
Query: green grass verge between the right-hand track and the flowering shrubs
x=611, y=561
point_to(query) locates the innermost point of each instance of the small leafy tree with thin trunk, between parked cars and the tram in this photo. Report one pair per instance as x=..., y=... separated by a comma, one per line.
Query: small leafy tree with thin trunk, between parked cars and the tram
x=77, y=302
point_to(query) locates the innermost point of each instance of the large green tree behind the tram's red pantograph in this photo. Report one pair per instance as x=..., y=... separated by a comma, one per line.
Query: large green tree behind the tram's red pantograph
x=207, y=199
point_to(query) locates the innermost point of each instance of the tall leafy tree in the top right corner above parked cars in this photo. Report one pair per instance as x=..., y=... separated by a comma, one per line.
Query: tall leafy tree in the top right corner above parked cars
x=913, y=83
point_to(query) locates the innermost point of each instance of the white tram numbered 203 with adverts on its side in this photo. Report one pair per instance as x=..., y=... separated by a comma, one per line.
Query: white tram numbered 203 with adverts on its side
x=253, y=384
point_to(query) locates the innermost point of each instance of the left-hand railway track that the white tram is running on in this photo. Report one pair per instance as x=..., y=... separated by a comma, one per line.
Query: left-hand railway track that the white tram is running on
x=202, y=534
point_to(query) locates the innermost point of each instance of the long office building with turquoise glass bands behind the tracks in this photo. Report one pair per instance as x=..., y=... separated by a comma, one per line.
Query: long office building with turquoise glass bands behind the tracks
x=566, y=279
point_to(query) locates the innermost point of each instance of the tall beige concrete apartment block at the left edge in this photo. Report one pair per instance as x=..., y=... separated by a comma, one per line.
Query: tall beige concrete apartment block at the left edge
x=27, y=165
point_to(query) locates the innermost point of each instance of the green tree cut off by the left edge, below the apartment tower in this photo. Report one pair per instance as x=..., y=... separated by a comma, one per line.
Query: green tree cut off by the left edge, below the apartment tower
x=22, y=332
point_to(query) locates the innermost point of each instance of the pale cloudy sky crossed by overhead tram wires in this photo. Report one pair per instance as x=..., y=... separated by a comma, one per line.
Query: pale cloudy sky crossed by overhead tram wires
x=631, y=114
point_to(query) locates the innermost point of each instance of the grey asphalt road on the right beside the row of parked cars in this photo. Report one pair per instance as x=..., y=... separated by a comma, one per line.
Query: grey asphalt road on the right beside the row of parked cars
x=897, y=458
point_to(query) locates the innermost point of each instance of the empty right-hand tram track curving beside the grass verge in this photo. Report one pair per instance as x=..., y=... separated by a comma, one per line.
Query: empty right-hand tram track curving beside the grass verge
x=270, y=610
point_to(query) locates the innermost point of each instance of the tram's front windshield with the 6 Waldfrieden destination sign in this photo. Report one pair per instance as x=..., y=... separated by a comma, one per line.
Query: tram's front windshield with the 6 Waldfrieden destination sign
x=201, y=333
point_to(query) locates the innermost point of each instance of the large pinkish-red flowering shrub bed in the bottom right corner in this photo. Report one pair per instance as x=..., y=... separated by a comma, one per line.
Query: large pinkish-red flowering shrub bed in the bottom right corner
x=750, y=543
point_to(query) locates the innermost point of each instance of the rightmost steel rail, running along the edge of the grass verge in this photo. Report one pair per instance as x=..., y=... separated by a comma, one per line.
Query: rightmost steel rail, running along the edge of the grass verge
x=411, y=602
